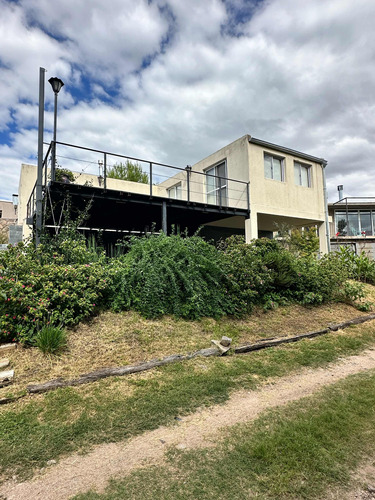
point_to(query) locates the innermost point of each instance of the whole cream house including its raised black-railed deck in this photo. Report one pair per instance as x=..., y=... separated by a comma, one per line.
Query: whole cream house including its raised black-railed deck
x=248, y=187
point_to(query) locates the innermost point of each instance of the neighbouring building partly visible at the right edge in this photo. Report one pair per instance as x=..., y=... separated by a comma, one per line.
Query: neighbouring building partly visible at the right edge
x=352, y=223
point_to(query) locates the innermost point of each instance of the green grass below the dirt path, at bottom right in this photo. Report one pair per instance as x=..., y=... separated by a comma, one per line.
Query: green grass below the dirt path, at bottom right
x=293, y=452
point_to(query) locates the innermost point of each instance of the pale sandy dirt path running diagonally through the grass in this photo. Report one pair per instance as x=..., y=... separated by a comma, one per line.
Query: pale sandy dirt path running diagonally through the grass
x=77, y=473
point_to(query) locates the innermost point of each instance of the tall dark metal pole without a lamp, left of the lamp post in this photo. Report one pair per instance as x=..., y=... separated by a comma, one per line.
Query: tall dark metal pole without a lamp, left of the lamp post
x=39, y=180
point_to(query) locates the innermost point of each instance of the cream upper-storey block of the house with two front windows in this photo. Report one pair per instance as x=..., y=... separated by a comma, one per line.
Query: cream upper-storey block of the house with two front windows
x=285, y=187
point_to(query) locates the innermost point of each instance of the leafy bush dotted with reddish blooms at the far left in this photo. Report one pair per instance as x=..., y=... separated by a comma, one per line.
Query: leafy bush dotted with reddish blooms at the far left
x=34, y=293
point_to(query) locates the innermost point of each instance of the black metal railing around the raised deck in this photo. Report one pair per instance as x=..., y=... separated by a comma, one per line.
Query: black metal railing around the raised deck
x=163, y=180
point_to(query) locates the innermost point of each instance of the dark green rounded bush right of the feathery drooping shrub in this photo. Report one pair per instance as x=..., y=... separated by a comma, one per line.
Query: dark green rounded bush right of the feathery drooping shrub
x=265, y=273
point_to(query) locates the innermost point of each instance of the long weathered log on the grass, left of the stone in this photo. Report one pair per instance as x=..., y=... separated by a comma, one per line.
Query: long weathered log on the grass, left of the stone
x=119, y=371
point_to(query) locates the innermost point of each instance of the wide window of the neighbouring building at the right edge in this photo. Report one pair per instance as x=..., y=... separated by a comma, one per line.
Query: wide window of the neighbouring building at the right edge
x=355, y=223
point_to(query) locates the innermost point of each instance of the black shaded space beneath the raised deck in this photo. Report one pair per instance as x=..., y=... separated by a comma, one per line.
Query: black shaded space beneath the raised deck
x=117, y=213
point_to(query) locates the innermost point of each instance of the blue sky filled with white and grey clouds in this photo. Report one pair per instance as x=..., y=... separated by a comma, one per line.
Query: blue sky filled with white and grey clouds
x=174, y=80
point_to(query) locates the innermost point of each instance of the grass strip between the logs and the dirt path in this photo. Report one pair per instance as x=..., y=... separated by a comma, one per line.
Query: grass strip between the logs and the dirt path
x=48, y=426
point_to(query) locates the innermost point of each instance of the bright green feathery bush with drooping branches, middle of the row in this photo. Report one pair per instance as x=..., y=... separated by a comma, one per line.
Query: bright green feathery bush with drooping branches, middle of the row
x=171, y=275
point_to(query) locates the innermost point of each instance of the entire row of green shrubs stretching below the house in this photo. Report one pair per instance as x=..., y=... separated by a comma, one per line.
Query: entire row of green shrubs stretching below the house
x=64, y=281
